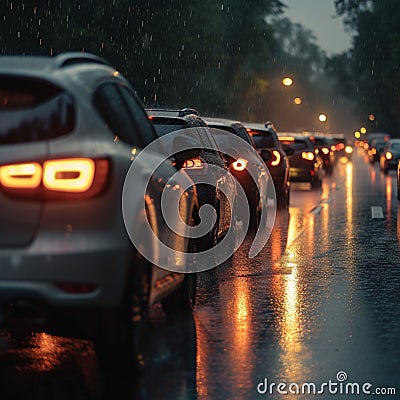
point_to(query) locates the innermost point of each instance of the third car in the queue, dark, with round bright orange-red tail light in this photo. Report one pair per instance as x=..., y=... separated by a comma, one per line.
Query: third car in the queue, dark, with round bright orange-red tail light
x=222, y=129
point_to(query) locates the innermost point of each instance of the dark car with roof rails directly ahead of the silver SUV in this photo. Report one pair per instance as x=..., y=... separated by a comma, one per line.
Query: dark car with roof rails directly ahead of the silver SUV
x=200, y=168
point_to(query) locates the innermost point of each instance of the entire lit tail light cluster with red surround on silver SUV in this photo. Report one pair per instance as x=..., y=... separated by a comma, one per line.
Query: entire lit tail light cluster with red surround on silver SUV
x=55, y=178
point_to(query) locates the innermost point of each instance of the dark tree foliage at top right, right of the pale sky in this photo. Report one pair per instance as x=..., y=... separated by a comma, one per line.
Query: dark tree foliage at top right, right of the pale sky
x=372, y=67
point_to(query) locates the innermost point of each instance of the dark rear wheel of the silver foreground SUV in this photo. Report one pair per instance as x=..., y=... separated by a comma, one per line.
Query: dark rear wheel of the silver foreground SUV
x=119, y=337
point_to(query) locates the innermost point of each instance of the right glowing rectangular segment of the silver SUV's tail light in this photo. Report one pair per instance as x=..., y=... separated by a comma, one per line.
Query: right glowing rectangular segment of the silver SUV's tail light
x=69, y=175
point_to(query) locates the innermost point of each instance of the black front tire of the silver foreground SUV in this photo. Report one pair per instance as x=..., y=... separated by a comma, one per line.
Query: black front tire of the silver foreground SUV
x=182, y=301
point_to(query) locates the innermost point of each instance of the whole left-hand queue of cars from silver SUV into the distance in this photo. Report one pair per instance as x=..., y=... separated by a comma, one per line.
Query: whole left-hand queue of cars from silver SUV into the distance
x=71, y=128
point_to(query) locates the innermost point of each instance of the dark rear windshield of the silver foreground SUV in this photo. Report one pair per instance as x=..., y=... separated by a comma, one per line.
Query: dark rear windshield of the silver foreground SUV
x=33, y=110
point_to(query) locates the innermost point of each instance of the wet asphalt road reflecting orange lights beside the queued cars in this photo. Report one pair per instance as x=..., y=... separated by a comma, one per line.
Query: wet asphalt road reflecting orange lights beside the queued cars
x=322, y=297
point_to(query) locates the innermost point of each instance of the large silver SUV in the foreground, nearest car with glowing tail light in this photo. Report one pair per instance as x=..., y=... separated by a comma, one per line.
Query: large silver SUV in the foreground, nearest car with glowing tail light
x=71, y=128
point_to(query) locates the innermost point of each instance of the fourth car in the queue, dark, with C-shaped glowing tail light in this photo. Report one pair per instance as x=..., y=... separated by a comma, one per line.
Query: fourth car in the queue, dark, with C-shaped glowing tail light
x=265, y=137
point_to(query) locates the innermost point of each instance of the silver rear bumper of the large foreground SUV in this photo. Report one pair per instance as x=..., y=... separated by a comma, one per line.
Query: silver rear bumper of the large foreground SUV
x=33, y=273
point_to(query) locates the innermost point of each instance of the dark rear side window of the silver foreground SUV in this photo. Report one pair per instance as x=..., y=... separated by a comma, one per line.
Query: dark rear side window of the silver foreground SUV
x=125, y=120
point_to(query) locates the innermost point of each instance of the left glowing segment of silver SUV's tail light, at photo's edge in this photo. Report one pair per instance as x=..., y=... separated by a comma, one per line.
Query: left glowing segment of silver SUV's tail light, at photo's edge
x=21, y=176
